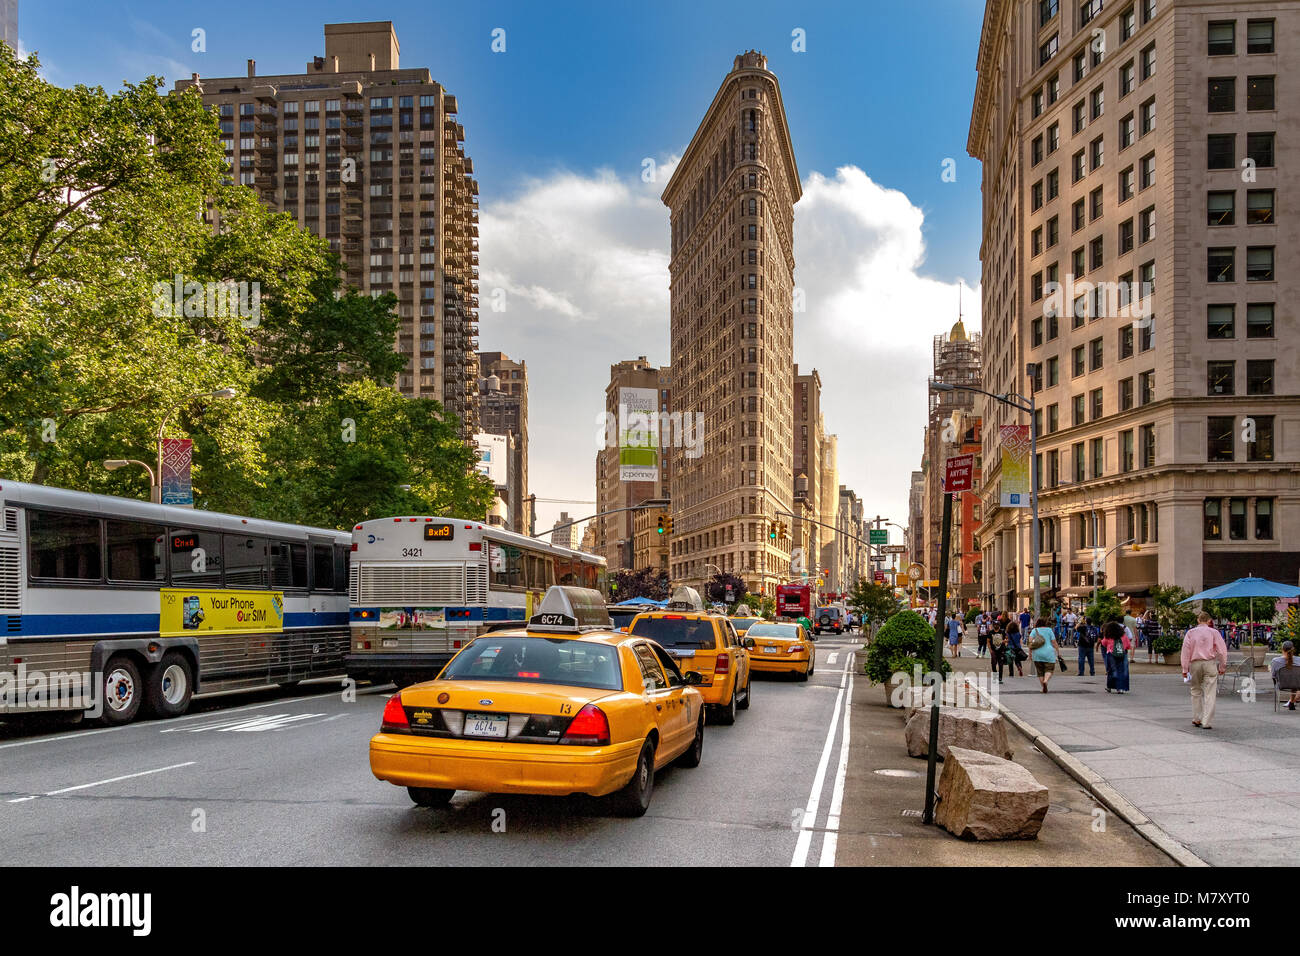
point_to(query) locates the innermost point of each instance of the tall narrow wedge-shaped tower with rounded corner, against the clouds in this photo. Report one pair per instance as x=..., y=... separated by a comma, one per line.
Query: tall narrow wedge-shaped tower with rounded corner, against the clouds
x=733, y=200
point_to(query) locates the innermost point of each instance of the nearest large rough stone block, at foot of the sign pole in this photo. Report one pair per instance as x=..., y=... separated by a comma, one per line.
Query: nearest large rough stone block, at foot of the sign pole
x=986, y=798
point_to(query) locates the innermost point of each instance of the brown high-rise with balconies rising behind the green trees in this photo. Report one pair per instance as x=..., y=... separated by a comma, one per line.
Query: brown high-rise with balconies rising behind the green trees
x=372, y=158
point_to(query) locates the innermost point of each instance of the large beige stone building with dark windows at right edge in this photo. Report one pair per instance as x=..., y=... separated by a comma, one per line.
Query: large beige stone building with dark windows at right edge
x=1141, y=279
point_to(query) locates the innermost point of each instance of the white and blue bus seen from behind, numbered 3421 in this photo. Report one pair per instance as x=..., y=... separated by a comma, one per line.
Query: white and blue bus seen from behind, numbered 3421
x=421, y=589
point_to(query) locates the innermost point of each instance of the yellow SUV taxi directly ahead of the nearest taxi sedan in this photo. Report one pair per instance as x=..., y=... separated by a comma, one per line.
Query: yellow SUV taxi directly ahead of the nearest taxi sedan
x=707, y=644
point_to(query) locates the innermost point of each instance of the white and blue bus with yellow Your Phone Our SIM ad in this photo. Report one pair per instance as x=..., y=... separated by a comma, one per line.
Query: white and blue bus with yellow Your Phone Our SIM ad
x=110, y=604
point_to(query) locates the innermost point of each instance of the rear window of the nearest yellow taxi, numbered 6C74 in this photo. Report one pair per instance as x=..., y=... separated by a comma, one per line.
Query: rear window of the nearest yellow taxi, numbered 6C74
x=538, y=661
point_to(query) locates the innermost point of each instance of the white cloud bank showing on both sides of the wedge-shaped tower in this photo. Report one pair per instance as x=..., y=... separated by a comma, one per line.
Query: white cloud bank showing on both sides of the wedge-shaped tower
x=583, y=261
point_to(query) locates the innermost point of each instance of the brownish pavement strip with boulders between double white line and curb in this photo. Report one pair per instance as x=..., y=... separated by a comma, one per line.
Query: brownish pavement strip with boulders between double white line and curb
x=886, y=791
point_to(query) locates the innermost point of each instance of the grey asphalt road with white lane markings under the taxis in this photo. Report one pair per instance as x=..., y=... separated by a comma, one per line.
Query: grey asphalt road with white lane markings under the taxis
x=272, y=778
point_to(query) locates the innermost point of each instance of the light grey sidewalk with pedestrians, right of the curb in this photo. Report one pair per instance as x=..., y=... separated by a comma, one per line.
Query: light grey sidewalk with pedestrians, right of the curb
x=1230, y=795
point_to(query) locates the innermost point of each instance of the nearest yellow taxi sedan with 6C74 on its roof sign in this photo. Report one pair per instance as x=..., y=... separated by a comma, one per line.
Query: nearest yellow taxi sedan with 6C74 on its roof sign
x=566, y=706
